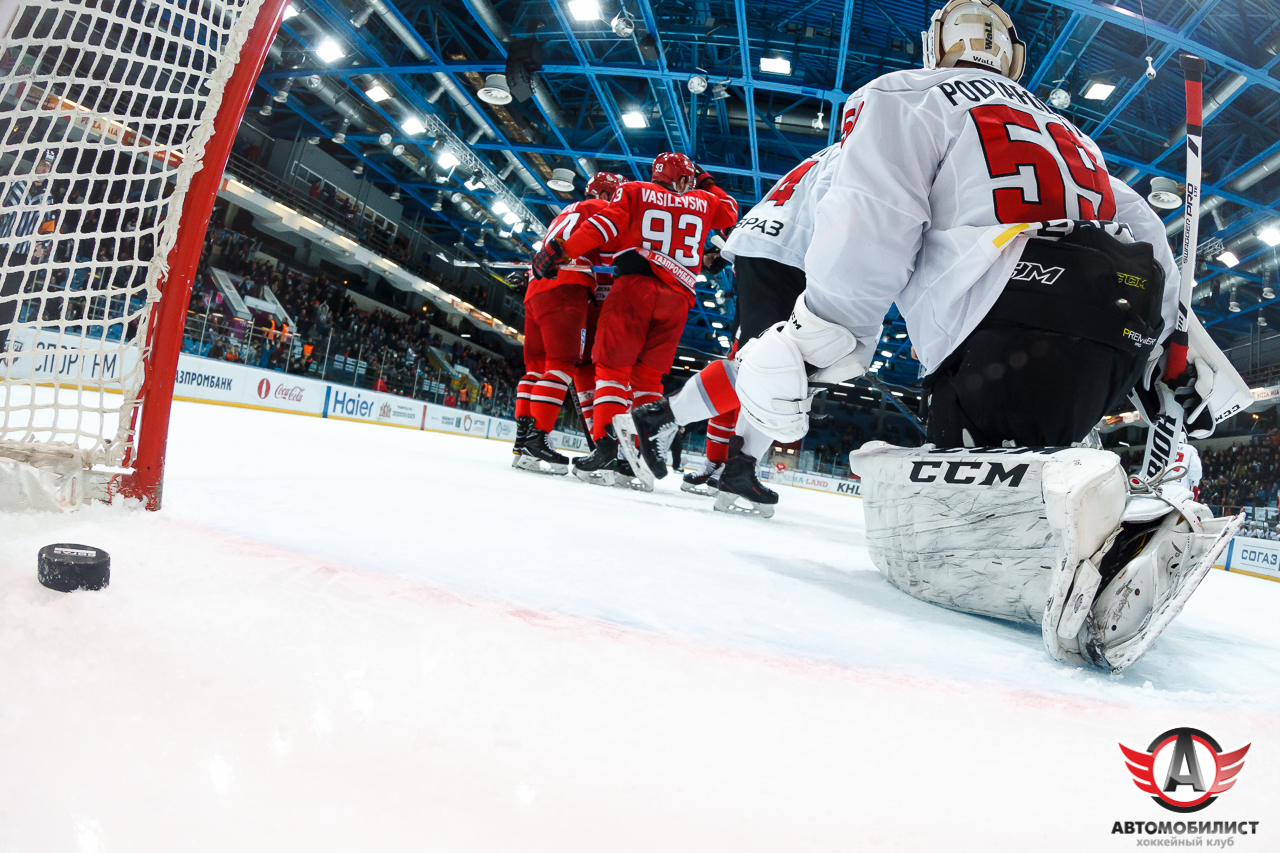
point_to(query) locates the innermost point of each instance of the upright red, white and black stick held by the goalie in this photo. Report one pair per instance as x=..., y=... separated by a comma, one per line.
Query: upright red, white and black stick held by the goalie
x=1167, y=434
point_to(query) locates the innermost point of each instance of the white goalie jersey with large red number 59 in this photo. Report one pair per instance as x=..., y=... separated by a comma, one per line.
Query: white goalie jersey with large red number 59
x=935, y=172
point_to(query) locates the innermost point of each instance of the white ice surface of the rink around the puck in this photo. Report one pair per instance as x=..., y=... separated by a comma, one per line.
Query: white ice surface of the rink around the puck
x=341, y=637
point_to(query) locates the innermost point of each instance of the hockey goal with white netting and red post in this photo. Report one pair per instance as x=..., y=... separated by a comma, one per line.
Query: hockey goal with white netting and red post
x=116, y=122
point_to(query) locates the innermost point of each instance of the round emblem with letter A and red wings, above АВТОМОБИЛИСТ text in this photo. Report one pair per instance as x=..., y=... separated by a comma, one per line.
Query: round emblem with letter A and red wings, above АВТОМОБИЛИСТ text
x=1191, y=765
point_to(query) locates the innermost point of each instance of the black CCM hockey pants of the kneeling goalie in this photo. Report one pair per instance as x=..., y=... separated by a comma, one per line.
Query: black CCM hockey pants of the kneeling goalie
x=1063, y=346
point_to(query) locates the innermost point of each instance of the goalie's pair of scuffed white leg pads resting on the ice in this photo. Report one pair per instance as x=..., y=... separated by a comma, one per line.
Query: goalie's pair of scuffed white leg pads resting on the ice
x=1055, y=537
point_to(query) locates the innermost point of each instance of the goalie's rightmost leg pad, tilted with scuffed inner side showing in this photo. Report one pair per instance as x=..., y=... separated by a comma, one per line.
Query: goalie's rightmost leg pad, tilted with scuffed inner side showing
x=1153, y=589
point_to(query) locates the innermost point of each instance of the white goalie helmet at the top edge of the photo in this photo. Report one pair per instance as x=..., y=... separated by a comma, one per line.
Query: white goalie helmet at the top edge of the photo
x=976, y=31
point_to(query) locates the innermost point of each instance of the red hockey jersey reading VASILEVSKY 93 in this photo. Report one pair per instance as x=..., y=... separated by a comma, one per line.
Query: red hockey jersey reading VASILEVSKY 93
x=668, y=230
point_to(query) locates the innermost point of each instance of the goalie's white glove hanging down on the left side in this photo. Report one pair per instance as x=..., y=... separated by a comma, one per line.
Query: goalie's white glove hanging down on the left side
x=775, y=371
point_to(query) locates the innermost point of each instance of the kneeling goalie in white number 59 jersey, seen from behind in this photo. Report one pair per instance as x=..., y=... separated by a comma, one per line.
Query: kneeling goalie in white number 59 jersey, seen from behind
x=1037, y=291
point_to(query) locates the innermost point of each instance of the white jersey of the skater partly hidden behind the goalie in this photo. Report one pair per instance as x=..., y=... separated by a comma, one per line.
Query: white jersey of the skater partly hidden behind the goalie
x=781, y=227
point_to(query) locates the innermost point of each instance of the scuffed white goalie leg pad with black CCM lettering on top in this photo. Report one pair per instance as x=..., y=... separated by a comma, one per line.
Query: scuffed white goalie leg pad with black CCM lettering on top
x=968, y=528
